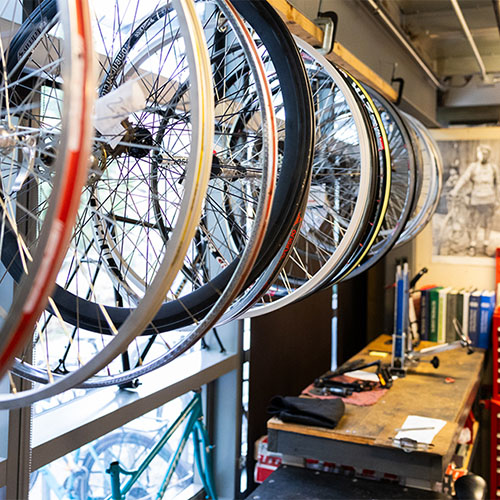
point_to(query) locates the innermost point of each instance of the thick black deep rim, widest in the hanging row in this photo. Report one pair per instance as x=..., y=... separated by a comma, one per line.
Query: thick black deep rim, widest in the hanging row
x=290, y=191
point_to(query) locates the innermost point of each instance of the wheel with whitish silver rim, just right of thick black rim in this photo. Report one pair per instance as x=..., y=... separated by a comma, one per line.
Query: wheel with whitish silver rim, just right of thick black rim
x=342, y=190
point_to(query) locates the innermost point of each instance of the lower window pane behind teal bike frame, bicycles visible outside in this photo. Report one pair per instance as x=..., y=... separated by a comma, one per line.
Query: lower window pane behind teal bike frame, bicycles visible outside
x=82, y=473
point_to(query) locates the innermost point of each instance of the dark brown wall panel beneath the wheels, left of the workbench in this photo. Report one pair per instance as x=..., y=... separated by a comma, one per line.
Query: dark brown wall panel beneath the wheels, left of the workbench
x=289, y=349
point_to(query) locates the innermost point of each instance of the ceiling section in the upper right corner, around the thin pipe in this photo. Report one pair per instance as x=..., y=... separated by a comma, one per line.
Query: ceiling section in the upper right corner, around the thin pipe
x=434, y=30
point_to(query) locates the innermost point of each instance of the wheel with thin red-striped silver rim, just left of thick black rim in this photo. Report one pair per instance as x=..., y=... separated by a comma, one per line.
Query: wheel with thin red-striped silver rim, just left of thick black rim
x=243, y=166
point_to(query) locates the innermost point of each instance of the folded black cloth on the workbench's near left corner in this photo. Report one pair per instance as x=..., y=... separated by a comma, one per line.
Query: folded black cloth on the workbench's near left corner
x=307, y=411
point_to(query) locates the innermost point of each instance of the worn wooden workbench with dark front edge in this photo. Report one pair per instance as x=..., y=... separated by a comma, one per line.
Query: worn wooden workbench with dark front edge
x=361, y=439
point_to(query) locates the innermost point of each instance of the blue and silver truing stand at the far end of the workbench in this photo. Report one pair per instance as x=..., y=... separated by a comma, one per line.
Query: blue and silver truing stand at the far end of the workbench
x=404, y=338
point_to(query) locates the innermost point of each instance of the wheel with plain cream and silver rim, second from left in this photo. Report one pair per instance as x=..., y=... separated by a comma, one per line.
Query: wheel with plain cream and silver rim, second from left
x=122, y=169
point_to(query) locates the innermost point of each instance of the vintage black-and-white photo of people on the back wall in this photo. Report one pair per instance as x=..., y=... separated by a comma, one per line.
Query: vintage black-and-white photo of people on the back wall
x=466, y=224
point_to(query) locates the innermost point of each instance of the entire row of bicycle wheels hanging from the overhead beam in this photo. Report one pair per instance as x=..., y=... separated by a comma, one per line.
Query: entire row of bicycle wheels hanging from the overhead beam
x=169, y=166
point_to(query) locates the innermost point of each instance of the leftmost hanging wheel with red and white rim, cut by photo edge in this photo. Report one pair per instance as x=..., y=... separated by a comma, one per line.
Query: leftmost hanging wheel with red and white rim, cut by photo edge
x=45, y=140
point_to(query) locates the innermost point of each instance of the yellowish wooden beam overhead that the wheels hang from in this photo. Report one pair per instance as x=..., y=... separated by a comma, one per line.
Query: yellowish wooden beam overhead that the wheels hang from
x=304, y=28
